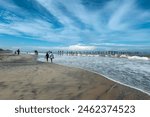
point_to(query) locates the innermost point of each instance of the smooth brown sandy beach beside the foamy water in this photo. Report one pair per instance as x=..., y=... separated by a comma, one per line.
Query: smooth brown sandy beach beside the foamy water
x=22, y=77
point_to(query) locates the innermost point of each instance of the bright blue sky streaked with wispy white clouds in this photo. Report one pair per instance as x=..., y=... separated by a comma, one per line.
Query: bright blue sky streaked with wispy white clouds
x=75, y=24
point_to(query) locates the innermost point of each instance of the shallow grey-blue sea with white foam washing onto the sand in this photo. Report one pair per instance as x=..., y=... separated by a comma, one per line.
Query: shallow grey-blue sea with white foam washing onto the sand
x=131, y=71
